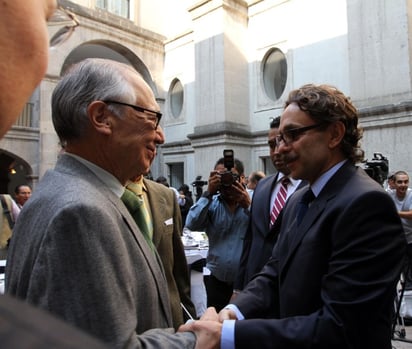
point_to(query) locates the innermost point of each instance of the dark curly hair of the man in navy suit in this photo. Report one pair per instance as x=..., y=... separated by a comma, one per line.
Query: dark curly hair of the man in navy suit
x=326, y=104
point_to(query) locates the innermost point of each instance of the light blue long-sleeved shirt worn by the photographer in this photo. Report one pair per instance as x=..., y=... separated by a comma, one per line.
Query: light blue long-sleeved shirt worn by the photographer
x=225, y=231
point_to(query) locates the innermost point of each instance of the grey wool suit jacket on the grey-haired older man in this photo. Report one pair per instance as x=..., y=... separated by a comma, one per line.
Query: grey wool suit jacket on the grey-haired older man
x=78, y=253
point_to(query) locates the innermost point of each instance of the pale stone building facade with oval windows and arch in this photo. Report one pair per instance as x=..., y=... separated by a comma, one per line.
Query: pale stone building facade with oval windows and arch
x=220, y=69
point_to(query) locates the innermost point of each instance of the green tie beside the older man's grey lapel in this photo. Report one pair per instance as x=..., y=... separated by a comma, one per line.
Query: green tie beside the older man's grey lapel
x=137, y=208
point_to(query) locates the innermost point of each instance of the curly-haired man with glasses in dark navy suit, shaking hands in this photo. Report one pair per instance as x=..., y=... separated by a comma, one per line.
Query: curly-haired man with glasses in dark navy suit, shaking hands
x=331, y=280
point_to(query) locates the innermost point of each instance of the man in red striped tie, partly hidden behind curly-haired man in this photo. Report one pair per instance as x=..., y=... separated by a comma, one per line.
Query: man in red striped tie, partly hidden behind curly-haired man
x=262, y=233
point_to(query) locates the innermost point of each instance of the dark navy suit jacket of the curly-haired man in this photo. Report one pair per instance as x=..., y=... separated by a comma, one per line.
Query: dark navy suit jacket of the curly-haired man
x=331, y=282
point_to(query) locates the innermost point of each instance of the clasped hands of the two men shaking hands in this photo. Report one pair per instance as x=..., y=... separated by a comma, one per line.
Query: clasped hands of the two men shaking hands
x=208, y=329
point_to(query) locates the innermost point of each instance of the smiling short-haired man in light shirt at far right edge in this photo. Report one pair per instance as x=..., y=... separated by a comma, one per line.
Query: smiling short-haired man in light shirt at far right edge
x=402, y=197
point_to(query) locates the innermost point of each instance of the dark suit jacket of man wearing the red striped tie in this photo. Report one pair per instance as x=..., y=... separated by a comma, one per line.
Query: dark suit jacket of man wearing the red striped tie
x=259, y=239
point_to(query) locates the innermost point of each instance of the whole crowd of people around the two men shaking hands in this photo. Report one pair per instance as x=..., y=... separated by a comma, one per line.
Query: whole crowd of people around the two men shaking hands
x=95, y=257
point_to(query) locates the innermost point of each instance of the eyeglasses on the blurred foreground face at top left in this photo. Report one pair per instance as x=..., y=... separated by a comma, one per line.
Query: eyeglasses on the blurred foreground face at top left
x=68, y=22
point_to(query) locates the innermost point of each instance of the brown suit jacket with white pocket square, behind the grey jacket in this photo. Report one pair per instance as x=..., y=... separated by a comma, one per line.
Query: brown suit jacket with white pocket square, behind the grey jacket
x=167, y=231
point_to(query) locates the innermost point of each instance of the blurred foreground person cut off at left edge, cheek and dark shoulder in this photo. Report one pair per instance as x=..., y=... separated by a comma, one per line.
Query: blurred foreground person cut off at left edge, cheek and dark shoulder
x=23, y=62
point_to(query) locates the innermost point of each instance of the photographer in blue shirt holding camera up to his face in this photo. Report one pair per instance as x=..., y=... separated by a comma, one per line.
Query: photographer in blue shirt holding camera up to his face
x=222, y=212
